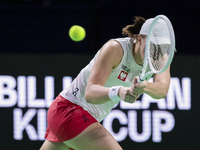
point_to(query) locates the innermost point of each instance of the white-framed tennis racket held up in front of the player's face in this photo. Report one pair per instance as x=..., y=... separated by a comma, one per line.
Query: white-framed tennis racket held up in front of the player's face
x=160, y=48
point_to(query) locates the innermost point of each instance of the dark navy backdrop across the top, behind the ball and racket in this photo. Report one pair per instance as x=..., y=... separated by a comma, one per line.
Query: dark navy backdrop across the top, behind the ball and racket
x=41, y=26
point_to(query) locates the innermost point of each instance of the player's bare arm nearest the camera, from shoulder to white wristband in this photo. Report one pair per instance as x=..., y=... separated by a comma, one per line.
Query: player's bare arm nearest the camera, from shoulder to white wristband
x=109, y=58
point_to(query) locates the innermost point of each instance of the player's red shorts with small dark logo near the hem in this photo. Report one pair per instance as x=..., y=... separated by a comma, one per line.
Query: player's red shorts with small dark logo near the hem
x=66, y=120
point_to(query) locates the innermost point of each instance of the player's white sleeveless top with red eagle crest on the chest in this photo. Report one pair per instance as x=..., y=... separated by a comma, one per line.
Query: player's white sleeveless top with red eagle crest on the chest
x=122, y=75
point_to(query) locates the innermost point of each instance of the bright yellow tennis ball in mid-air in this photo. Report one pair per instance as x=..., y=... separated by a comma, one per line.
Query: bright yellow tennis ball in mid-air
x=77, y=33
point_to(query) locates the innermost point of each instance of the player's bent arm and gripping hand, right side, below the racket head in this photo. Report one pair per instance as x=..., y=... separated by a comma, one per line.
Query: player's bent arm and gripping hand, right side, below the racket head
x=158, y=89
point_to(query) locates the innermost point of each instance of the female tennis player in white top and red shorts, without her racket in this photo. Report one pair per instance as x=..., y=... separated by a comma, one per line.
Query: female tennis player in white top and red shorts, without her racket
x=111, y=76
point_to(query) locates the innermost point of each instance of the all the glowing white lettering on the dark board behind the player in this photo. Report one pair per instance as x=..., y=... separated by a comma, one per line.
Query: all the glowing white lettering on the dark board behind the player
x=23, y=92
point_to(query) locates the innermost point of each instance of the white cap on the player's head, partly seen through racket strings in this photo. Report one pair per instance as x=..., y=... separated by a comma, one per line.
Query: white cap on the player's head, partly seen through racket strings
x=160, y=33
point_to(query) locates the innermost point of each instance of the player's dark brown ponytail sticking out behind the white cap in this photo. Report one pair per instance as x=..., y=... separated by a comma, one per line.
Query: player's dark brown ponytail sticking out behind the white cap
x=134, y=29
